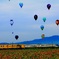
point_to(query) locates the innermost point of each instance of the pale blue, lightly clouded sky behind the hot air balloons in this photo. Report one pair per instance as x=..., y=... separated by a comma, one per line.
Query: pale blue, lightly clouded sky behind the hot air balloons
x=24, y=24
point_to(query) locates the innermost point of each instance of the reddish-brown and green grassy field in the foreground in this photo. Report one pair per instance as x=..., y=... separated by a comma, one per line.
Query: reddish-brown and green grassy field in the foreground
x=30, y=53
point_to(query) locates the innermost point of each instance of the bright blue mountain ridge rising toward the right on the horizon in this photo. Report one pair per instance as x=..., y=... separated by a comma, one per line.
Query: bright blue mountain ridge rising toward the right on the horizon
x=47, y=40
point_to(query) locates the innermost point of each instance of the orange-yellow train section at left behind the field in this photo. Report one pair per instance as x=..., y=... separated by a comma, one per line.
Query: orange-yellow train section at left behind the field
x=6, y=46
